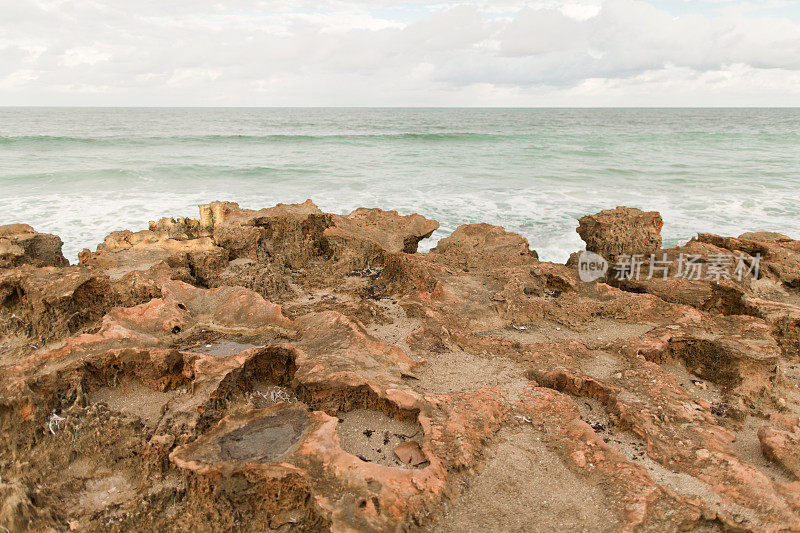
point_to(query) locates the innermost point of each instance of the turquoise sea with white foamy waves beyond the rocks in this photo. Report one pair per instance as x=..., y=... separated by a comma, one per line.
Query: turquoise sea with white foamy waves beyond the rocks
x=82, y=173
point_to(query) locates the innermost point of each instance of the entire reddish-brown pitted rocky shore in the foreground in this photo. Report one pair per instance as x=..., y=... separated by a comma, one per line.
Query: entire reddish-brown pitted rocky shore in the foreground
x=287, y=369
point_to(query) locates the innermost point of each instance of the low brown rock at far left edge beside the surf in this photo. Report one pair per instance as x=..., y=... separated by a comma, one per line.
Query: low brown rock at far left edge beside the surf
x=21, y=245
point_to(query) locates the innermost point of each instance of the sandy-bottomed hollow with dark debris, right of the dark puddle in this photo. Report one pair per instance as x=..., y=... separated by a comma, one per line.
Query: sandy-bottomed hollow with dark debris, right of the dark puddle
x=372, y=436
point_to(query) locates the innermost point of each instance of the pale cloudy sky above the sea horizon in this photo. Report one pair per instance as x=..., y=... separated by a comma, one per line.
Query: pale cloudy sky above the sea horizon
x=413, y=53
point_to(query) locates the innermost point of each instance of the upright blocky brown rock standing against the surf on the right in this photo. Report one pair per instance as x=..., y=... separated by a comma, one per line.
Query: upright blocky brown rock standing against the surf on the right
x=624, y=230
